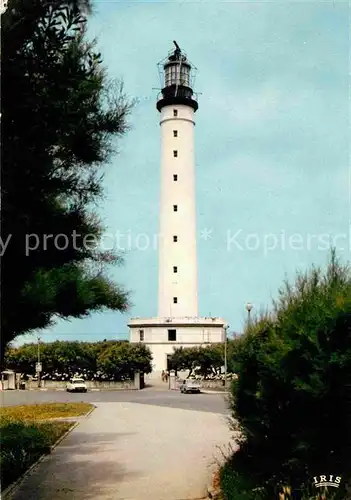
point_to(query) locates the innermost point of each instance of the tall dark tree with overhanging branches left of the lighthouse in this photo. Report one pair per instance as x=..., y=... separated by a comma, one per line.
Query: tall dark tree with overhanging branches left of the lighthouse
x=60, y=118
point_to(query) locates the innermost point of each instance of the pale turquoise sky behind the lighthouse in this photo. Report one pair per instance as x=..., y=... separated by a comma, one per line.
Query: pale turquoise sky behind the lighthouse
x=272, y=149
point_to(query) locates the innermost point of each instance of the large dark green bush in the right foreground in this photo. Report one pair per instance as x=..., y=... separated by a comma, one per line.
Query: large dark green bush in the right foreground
x=291, y=396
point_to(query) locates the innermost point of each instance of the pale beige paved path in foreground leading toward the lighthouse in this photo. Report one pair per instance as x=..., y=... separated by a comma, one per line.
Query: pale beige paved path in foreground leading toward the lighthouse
x=132, y=451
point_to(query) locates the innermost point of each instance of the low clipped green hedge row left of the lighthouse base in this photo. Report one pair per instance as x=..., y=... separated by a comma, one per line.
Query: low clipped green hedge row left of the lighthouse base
x=108, y=360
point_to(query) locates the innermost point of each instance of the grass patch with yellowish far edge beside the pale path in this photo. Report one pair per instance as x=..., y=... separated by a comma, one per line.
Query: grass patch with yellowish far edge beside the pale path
x=26, y=434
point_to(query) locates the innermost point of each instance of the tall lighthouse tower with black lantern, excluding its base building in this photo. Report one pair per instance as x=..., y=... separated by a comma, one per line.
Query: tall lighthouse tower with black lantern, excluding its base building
x=177, y=295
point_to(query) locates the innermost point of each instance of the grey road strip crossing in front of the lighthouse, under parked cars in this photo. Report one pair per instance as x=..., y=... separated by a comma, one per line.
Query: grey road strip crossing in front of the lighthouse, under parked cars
x=214, y=403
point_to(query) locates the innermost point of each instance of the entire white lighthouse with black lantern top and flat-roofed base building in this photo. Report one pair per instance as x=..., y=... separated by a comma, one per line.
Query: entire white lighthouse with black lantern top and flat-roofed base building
x=178, y=323
